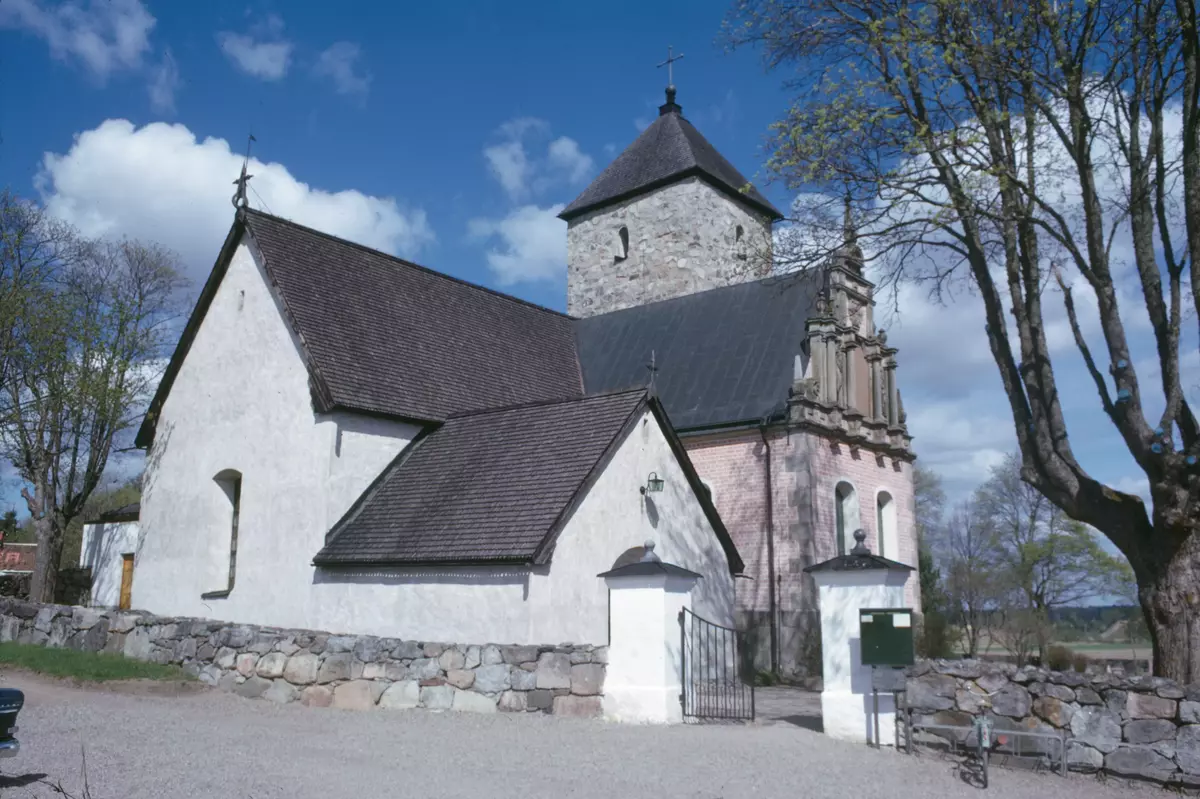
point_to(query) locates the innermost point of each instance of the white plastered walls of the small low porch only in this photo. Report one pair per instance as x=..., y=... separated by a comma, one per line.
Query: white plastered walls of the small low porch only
x=562, y=603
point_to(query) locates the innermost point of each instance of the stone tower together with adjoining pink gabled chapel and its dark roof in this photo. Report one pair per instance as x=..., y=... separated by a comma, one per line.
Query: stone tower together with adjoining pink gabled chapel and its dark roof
x=783, y=391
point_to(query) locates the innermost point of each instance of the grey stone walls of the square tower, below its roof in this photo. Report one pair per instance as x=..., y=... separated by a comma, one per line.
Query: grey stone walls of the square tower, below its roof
x=682, y=241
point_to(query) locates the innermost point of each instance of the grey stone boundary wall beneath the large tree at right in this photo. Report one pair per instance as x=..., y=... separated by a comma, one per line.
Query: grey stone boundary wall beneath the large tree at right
x=1144, y=728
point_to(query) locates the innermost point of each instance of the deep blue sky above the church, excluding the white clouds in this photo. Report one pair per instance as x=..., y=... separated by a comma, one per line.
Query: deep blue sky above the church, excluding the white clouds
x=430, y=88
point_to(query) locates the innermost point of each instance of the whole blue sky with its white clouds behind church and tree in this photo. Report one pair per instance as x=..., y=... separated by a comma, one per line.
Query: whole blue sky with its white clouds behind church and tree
x=449, y=134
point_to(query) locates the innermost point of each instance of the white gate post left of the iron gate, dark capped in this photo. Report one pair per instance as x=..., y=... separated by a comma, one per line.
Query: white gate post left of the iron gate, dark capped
x=645, y=640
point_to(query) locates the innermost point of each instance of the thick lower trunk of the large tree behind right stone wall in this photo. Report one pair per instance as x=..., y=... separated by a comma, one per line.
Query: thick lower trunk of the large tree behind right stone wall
x=1171, y=599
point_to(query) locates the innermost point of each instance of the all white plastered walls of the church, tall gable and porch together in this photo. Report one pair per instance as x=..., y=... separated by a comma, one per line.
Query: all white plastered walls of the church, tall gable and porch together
x=242, y=402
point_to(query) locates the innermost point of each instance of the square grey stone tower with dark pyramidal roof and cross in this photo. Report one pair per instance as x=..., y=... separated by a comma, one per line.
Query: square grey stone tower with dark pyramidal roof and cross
x=669, y=218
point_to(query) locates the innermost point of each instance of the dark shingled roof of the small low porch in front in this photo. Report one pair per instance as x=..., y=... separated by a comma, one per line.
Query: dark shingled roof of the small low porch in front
x=495, y=486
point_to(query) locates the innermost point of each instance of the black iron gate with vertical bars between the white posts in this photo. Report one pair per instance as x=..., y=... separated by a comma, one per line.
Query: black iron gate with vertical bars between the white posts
x=712, y=671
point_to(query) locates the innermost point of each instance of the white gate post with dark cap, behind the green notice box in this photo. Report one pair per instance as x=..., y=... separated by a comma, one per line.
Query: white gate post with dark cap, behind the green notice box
x=849, y=588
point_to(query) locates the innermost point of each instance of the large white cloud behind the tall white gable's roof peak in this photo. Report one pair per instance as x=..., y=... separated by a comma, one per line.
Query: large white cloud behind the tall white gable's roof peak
x=160, y=183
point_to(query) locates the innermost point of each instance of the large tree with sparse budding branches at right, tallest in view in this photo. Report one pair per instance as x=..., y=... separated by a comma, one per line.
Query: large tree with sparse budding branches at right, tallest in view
x=1039, y=151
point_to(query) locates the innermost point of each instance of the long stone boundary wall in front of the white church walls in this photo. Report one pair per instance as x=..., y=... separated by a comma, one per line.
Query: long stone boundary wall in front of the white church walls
x=322, y=670
